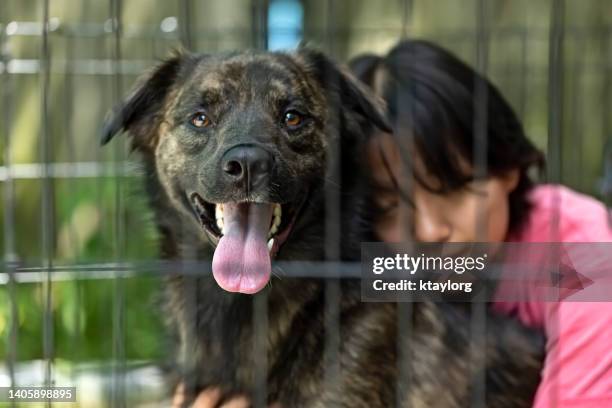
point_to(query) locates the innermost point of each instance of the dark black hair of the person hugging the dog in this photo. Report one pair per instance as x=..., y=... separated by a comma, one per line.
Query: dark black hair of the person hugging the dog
x=433, y=98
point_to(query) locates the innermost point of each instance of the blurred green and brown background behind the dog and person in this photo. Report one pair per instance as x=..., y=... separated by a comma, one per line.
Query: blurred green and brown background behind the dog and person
x=77, y=297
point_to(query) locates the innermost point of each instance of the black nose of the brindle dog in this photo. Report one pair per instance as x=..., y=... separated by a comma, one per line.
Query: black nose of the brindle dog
x=247, y=166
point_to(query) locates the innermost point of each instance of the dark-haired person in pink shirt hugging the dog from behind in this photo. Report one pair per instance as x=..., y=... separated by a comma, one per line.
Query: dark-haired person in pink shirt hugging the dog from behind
x=432, y=188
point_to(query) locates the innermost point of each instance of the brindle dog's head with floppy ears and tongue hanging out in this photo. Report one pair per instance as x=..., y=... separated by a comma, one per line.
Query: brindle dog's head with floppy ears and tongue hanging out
x=239, y=140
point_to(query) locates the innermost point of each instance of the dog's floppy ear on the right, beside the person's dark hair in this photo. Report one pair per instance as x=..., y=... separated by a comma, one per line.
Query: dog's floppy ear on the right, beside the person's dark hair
x=351, y=93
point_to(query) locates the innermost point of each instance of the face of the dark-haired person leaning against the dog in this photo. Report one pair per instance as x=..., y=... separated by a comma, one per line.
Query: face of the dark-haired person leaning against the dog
x=477, y=213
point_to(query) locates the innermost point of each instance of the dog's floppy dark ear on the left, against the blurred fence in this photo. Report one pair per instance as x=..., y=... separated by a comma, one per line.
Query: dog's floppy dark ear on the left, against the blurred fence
x=139, y=113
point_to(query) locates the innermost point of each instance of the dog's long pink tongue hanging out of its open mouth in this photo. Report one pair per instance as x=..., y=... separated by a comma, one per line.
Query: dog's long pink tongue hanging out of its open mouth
x=242, y=261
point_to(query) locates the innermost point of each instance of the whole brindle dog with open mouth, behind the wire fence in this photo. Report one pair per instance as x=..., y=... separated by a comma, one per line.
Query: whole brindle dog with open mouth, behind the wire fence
x=235, y=147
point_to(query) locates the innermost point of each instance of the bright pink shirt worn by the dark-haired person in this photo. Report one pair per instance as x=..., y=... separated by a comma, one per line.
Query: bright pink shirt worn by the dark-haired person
x=578, y=367
